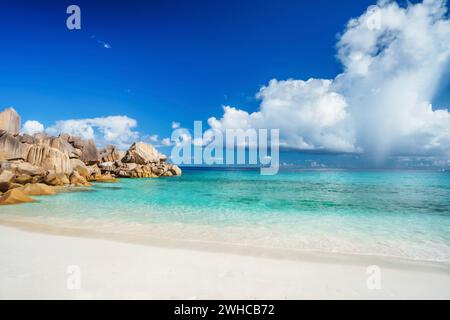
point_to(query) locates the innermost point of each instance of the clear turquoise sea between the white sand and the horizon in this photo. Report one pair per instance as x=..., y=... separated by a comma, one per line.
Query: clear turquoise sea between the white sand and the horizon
x=392, y=213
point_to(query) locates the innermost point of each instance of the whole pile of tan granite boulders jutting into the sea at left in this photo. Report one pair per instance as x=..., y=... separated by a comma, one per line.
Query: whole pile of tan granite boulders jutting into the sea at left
x=29, y=164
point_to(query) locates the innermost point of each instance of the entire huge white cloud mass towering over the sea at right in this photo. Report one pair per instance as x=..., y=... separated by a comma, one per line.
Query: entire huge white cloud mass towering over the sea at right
x=393, y=60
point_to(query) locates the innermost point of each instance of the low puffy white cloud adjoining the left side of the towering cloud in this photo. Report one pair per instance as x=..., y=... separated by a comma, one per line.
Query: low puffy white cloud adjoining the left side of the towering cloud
x=309, y=114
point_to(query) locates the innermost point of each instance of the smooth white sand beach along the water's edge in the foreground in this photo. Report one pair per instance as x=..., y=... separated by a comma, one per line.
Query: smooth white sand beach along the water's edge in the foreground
x=35, y=266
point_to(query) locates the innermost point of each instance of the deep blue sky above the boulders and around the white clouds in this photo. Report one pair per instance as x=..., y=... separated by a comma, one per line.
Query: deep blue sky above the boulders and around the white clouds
x=164, y=61
